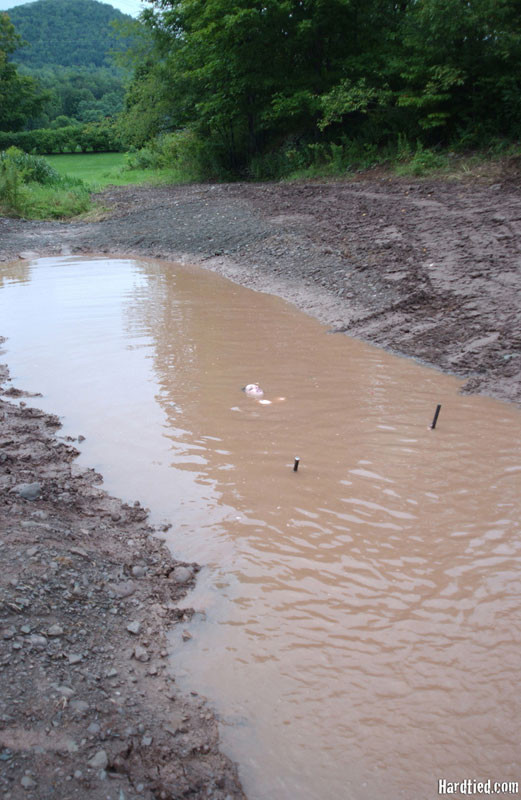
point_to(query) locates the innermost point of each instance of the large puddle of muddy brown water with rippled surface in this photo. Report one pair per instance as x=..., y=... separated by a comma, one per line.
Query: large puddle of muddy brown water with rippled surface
x=362, y=626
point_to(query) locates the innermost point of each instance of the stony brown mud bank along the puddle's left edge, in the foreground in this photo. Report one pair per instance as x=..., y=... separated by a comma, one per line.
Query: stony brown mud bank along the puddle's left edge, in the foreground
x=88, y=707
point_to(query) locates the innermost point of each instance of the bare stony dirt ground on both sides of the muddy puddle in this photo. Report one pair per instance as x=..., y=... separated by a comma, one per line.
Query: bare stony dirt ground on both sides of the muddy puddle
x=88, y=591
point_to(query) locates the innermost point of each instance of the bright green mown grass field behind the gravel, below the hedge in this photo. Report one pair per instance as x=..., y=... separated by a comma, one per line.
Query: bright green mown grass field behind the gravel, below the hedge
x=103, y=169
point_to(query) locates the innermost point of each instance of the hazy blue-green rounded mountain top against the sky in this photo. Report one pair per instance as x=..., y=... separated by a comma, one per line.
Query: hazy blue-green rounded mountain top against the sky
x=69, y=33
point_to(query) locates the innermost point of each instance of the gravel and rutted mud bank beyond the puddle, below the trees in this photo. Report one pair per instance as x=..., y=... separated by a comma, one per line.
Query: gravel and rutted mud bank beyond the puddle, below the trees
x=427, y=269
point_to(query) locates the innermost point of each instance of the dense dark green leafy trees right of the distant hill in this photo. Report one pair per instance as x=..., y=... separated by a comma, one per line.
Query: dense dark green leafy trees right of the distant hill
x=259, y=83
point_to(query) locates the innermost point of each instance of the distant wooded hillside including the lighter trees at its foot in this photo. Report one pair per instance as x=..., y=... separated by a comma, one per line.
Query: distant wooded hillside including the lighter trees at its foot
x=64, y=50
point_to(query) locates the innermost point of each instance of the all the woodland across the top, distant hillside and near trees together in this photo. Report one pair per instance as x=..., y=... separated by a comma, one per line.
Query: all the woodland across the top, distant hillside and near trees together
x=258, y=87
